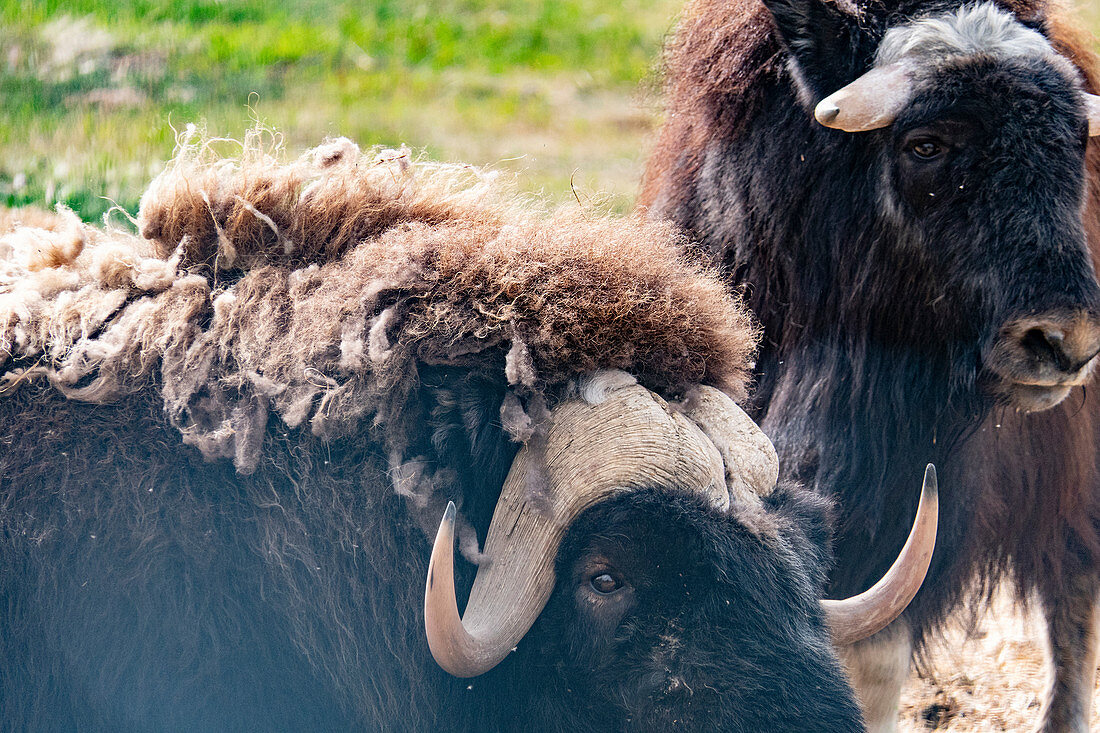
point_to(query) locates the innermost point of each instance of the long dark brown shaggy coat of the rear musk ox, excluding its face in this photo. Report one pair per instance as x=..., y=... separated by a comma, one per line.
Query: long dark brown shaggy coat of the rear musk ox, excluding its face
x=877, y=380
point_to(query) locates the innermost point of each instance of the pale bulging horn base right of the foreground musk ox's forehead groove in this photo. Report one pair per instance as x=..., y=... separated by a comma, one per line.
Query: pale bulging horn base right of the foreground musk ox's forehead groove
x=751, y=460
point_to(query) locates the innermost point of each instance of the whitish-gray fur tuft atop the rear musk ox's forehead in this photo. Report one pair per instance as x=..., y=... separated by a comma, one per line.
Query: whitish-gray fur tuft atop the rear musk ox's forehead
x=975, y=30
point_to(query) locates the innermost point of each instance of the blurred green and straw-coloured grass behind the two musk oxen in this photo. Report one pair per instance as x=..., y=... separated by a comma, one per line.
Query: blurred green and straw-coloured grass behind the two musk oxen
x=562, y=91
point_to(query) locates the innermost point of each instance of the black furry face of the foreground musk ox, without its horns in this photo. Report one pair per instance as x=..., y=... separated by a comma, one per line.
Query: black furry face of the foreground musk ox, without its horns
x=672, y=615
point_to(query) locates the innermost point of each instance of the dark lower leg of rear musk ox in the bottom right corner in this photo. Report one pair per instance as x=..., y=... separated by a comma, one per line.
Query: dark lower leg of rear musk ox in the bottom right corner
x=1073, y=620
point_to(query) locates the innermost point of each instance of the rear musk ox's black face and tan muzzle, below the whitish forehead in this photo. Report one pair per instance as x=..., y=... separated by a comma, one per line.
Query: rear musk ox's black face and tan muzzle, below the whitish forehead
x=986, y=171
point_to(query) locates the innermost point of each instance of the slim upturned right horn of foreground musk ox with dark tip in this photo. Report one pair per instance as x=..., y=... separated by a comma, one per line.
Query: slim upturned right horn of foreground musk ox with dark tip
x=862, y=616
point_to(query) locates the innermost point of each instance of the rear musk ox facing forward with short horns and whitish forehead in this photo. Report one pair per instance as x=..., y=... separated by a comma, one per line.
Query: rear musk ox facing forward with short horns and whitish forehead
x=922, y=258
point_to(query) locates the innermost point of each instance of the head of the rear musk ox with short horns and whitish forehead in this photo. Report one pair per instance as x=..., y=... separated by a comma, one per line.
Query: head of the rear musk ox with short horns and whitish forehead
x=973, y=132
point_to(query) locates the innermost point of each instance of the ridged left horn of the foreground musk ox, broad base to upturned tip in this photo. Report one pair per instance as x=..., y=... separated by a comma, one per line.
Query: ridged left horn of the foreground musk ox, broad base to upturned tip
x=630, y=441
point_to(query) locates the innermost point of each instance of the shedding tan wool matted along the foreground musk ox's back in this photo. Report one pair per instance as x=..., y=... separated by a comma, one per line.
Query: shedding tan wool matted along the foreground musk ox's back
x=314, y=289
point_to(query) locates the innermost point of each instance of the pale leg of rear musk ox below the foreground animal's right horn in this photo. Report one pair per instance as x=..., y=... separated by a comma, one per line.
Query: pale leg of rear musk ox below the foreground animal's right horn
x=878, y=668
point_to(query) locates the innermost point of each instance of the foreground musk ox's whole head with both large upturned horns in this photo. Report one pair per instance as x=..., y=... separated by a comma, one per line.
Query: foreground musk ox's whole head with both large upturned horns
x=662, y=582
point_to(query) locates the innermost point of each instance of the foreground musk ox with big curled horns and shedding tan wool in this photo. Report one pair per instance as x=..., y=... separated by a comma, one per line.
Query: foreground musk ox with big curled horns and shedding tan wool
x=227, y=444
